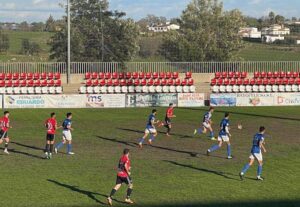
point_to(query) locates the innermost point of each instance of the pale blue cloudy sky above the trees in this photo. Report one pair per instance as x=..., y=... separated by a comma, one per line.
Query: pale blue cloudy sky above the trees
x=40, y=10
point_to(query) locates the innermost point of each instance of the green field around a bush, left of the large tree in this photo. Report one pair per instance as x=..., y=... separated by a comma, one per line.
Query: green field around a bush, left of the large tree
x=15, y=38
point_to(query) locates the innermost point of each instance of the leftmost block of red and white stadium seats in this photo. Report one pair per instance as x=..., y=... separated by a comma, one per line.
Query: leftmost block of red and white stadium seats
x=30, y=83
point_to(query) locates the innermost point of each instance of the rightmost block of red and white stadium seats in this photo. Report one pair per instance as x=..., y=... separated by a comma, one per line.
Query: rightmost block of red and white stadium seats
x=240, y=82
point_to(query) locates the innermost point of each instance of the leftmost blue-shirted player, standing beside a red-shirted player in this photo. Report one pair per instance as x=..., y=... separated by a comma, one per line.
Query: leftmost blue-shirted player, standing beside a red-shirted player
x=67, y=136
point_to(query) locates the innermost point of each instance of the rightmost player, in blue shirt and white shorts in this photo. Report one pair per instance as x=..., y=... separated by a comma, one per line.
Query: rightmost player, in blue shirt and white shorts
x=257, y=146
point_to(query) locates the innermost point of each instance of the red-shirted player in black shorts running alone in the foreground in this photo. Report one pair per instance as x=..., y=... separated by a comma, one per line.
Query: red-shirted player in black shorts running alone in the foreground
x=123, y=176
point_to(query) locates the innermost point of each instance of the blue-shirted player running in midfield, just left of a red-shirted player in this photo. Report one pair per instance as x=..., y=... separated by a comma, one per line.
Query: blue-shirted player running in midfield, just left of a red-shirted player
x=150, y=129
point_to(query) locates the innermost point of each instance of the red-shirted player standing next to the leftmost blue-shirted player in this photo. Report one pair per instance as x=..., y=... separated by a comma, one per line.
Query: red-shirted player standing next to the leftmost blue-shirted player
x=51, y=125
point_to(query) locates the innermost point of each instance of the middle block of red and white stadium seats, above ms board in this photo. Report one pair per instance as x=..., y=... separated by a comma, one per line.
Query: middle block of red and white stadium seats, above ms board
x=137, y=82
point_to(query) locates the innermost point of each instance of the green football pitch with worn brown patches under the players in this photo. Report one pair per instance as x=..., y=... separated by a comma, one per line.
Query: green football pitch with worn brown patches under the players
x=165, y=174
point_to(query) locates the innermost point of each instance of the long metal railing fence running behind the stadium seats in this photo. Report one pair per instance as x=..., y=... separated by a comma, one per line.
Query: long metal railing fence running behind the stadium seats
x=195, y=67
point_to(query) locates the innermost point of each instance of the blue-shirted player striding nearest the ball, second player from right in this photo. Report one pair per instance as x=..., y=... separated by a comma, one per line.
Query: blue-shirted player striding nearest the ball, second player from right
x=224, y=136
